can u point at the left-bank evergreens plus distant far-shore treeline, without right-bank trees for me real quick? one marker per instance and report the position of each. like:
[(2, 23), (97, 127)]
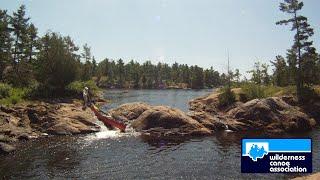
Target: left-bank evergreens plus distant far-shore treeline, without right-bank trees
[(53, 61)]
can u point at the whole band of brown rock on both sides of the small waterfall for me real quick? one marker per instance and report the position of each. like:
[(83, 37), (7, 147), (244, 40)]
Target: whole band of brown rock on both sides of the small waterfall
[(273, 115)]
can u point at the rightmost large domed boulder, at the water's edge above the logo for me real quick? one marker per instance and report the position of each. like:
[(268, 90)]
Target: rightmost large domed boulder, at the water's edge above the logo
[(273, 115)]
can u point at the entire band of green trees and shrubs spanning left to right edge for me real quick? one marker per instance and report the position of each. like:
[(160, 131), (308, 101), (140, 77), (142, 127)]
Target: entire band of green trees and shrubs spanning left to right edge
[(52, 65)]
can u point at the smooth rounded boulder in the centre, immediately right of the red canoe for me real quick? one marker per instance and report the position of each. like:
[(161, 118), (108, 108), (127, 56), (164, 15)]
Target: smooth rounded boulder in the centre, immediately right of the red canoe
[(159, 120)]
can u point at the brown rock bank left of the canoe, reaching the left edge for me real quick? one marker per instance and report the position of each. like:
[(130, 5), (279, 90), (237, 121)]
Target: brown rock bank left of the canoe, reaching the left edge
[(40, 119)]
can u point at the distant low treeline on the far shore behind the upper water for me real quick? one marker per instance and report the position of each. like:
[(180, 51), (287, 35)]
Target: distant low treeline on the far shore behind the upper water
[(147, 75)]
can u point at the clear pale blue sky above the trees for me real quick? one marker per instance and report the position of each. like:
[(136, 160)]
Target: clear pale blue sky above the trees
[(195, 32)]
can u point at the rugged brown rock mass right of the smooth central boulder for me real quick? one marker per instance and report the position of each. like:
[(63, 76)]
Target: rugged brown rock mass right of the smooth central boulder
[(271, 115)]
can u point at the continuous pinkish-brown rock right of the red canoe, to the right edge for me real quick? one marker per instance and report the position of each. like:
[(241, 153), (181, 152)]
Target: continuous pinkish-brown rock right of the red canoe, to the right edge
[(273, 115)]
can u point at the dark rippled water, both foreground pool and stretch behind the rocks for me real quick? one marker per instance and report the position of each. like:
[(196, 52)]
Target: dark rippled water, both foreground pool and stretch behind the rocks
[(110, 155)]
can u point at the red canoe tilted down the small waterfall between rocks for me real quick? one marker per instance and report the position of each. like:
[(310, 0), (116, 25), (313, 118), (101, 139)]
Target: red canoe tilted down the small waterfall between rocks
[(106, 120)]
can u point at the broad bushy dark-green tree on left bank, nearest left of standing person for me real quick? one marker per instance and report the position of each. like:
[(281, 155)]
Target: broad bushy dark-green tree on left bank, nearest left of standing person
[(56, 65)]
